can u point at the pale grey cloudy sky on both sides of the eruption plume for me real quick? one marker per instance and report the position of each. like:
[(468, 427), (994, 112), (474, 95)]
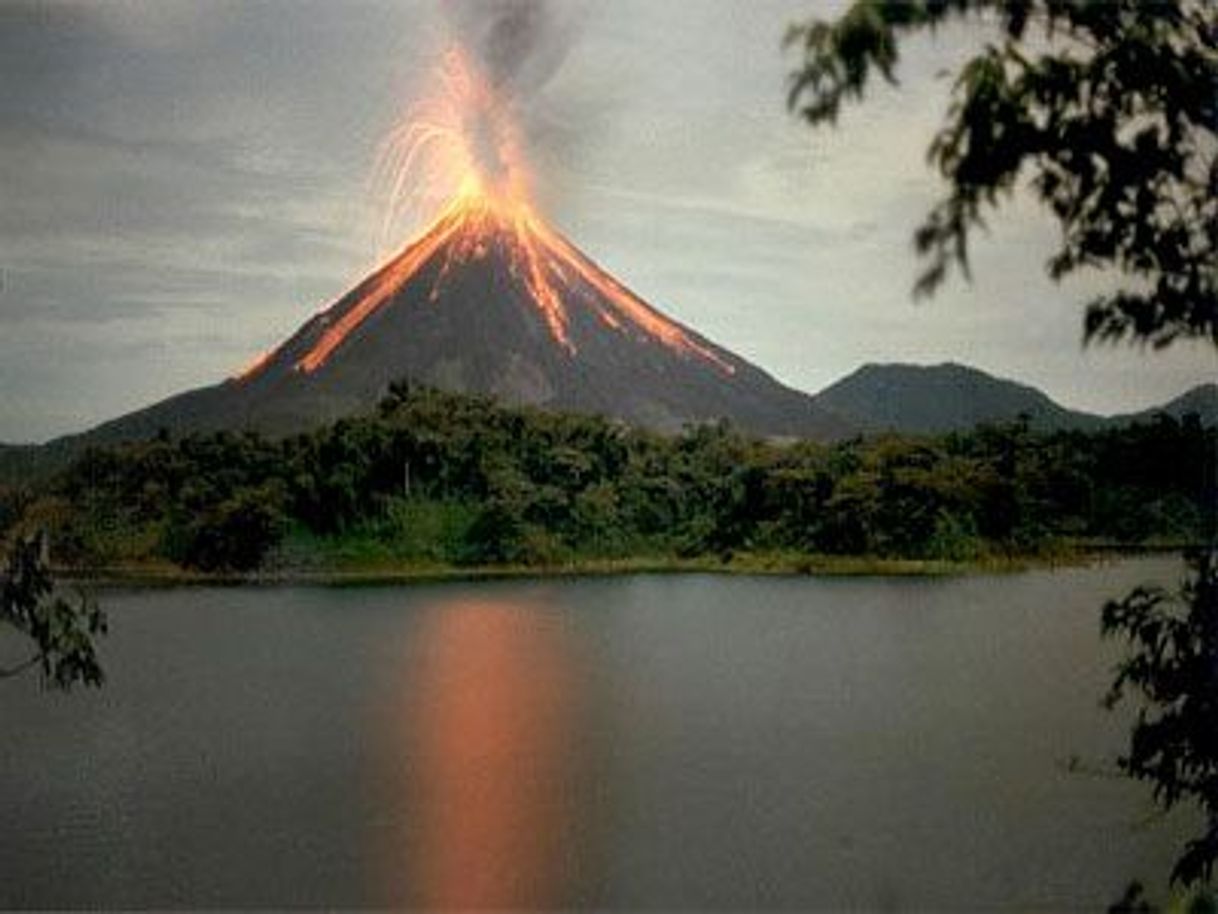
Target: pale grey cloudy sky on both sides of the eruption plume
[(185, 182)]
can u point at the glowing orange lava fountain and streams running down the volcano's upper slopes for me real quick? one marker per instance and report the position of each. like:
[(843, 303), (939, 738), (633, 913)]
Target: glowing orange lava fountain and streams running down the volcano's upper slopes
[(462, 148)]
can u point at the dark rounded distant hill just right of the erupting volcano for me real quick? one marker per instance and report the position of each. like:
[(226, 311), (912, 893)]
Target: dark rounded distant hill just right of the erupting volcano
[(945, 398)]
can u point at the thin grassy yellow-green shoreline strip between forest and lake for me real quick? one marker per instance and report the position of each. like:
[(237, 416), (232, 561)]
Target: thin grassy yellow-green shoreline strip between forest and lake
[(747, 565)]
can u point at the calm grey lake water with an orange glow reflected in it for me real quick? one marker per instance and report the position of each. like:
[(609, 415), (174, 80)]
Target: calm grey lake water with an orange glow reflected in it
[(641, 743)]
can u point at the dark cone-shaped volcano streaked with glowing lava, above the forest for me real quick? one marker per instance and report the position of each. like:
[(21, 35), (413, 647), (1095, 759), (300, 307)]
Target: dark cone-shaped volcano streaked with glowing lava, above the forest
[(493, 300)]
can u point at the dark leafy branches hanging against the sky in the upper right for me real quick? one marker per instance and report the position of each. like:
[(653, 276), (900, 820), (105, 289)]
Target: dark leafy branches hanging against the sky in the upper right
[(1108, 109)]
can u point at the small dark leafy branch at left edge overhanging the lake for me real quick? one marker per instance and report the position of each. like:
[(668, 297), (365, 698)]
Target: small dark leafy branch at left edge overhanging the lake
[(63, 633)]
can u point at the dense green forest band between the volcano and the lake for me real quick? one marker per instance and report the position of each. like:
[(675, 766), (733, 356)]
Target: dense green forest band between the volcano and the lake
[(443, 481)]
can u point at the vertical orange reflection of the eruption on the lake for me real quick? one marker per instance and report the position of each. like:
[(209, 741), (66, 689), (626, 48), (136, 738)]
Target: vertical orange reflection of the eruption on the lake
[(495, 696)]
